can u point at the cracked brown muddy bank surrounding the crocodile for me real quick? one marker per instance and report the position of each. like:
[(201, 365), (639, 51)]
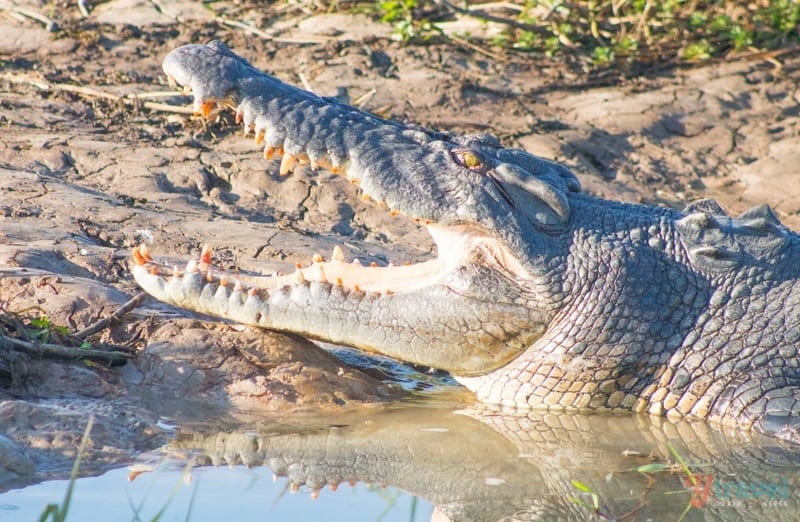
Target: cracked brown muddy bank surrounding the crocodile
[(91, 165)]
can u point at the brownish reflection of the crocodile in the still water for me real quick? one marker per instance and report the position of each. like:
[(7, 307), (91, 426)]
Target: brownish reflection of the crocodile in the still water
[(476, 466)]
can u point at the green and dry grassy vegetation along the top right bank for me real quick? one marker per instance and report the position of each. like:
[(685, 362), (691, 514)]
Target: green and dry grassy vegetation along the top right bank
[(604, 33)]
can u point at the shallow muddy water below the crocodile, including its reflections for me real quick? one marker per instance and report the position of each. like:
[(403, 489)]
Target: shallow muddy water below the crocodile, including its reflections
[(416, 458)]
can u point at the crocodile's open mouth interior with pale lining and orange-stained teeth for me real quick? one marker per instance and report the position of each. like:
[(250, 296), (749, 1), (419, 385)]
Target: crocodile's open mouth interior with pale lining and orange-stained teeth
[(457, 245)]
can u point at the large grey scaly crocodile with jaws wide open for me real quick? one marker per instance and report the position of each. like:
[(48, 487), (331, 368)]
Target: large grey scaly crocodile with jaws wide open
[(540, 296)]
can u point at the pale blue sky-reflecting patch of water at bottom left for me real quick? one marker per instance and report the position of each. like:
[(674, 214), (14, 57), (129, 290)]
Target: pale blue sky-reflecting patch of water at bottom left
[(220, 493)]
